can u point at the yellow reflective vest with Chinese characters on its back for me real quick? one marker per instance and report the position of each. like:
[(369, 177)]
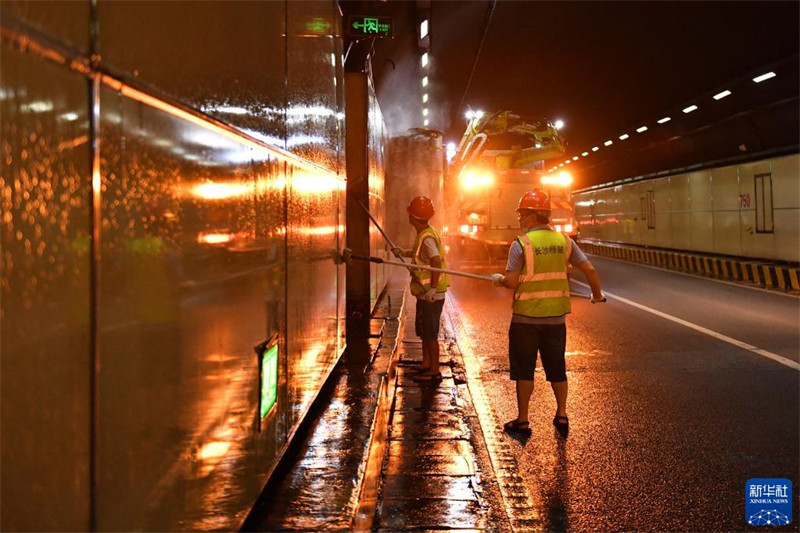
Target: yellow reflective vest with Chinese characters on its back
[(543, 289)]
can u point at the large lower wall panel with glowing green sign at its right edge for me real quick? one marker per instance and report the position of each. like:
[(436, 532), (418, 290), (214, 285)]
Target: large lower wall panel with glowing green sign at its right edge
[(193, 265)]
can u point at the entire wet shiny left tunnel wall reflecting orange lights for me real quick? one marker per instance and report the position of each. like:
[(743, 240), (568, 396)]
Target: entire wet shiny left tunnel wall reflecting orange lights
[(135, 284)]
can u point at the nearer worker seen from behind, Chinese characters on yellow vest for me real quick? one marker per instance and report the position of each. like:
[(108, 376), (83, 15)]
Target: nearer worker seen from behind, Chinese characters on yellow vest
[(537, 272)]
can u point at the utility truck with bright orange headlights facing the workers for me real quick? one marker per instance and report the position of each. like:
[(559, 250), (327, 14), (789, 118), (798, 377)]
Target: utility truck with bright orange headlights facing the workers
[(500, 156)]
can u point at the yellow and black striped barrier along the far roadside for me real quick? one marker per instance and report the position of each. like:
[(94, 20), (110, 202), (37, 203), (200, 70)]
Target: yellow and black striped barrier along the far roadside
[(771, 276)]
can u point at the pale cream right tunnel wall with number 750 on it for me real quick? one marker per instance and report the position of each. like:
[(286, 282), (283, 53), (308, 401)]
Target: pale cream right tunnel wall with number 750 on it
[(716, 210)]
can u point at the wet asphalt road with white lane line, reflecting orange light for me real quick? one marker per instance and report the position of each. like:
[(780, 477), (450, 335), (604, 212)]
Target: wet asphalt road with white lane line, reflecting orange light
[(668, 422)]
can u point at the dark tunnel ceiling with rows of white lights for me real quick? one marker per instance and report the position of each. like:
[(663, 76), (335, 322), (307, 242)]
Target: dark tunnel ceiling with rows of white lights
[(606, 69)]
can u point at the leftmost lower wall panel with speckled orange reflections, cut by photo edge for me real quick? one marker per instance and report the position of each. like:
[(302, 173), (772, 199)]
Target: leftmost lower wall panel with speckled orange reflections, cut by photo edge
[(45, 246)]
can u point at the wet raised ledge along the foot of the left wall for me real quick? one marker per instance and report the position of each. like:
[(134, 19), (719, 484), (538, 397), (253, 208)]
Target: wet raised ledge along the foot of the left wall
[(347, 421)]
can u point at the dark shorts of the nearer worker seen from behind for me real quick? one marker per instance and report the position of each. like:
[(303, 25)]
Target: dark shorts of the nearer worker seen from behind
[(549, 340)]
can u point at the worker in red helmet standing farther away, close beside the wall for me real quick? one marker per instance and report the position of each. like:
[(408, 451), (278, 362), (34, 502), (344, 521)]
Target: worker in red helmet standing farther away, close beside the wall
[(428, 287)]
